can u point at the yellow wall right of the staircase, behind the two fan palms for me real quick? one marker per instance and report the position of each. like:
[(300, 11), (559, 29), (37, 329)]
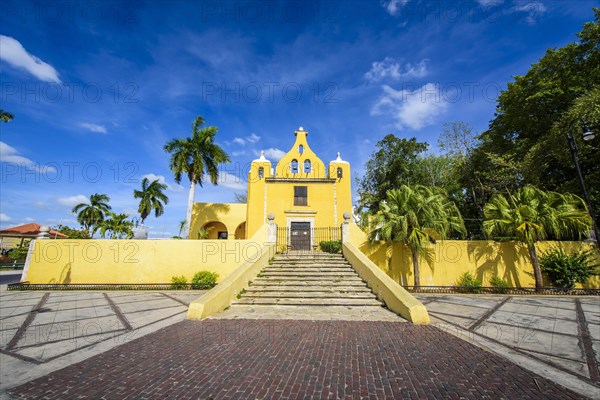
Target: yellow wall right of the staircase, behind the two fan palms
[(448, 259)]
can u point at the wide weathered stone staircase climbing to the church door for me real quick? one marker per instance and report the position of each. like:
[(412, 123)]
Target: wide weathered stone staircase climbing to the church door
[(313, 279)]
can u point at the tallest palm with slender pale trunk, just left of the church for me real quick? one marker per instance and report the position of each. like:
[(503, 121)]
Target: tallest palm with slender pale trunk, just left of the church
[(197, 157)]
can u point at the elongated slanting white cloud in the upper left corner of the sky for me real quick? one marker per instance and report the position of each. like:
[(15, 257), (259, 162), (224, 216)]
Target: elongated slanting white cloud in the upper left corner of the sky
[(13, 52)]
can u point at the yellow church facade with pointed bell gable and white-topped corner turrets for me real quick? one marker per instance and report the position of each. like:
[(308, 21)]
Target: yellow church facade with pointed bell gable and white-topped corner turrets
[(329, 195)]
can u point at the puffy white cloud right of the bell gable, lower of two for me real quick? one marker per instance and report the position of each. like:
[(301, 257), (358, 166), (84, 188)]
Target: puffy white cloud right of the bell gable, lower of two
[(411, 109)]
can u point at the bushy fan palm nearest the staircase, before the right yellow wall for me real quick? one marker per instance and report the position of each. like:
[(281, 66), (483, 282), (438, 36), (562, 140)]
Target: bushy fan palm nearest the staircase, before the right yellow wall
[(416, 216)]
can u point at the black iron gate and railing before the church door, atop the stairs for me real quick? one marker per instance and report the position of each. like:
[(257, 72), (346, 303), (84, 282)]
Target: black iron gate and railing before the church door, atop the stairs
[(300, 237)]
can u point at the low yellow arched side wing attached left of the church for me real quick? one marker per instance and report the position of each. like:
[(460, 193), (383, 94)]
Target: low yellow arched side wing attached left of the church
[(229, 215)]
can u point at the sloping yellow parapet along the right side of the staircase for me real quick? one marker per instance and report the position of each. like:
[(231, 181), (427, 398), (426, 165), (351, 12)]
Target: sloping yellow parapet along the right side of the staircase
[(395, 297)]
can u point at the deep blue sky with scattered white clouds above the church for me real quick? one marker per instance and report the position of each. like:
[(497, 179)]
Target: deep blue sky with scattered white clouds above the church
[(97, 88)]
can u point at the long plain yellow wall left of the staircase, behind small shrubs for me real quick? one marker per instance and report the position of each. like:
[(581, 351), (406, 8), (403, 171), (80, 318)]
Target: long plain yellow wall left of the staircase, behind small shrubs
[(137, 261)]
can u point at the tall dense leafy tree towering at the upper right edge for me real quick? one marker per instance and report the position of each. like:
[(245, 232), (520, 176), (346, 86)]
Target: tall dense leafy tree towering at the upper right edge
[(534, 113)]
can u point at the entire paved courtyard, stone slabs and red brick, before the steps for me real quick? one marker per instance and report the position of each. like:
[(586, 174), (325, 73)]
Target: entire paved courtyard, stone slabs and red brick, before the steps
[(70, 345)]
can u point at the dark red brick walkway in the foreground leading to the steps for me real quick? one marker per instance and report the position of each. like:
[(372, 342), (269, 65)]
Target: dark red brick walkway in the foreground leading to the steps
[(266, 359)]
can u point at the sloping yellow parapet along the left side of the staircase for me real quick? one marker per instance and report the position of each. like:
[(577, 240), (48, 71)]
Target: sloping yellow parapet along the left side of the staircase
[(221, 296)]
